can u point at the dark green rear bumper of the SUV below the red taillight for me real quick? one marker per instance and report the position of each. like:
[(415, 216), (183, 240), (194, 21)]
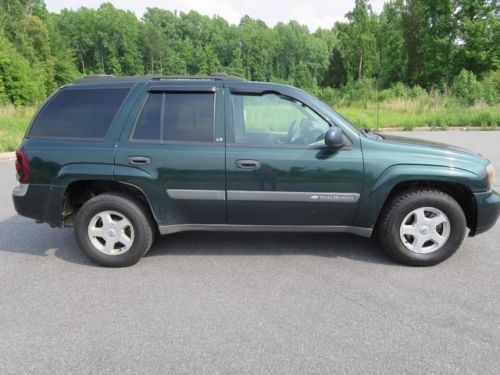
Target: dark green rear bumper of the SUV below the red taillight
[(42, 203)]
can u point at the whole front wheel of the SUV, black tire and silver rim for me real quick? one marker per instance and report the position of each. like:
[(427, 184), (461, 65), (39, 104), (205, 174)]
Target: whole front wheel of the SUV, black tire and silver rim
[(421, 227)]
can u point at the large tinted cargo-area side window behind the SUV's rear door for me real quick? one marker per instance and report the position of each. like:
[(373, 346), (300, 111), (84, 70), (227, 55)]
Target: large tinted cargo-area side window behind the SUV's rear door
[(79, 113)]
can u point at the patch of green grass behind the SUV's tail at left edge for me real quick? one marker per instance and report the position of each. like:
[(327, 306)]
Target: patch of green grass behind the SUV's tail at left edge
[(13, 123)]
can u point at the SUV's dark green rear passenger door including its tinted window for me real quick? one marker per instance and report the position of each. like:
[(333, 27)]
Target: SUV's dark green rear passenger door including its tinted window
[(173, 150)]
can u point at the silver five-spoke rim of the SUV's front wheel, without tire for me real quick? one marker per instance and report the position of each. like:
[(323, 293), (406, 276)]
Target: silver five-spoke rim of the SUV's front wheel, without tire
[(425, 230)]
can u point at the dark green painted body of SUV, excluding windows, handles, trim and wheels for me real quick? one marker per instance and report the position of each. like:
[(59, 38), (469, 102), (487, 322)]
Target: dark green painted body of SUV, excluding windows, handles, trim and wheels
[(369, 166)]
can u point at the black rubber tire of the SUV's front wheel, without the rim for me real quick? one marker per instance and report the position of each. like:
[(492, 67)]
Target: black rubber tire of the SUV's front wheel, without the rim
[(388, 228)]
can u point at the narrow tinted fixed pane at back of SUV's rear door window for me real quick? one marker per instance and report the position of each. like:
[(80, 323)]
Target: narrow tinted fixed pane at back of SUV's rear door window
[(149, 122)]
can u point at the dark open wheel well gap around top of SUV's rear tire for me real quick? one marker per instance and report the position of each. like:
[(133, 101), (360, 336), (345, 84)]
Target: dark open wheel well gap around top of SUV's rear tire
[(77, 193)]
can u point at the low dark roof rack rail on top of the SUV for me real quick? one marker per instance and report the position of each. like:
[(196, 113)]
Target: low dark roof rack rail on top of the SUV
[(112, 78)]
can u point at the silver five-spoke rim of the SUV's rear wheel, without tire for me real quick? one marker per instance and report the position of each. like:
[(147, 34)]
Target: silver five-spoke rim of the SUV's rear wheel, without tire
[(111, 233)]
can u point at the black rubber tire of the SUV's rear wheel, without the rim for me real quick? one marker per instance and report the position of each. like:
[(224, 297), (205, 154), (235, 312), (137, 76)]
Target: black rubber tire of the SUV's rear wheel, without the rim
[(131, 210)]
